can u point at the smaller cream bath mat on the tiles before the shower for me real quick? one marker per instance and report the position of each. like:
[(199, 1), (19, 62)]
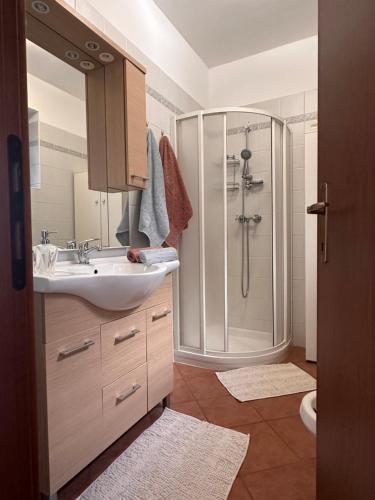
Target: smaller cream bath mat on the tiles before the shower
[(266, 381)]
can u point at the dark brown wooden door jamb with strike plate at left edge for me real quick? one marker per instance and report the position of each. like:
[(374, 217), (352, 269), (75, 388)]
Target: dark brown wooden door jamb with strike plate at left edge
[(18, 456)]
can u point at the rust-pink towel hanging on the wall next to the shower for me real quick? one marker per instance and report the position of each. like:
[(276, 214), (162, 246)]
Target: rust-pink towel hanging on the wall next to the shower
[(178, 203)]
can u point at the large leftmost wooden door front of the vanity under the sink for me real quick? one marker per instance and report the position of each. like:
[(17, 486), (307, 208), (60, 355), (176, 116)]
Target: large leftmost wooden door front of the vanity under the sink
[(74, 405)]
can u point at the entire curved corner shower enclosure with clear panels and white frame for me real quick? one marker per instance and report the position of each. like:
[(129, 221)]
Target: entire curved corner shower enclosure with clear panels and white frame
[(232, 293)]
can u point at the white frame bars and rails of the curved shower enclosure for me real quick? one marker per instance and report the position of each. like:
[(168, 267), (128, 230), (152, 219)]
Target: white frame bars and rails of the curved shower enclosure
[(202, 353)]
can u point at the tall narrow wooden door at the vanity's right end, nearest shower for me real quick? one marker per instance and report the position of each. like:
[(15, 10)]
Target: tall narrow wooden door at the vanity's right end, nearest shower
[(159, 353)]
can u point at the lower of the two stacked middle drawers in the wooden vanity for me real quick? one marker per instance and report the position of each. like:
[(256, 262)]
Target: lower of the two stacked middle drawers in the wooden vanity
[(124, 403)]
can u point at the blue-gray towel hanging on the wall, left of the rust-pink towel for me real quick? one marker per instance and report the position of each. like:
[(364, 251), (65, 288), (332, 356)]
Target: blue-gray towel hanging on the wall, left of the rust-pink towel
[(153, 218)]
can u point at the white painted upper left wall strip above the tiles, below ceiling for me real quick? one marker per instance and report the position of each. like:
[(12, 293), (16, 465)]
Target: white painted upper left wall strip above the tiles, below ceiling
[(144, 24)]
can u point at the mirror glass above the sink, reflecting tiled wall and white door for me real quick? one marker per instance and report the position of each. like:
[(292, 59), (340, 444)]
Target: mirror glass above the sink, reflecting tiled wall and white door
[(60, 198)]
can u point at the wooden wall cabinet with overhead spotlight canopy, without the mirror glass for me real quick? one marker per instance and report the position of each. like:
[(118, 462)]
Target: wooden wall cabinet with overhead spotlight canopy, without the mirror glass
[(115, 94)]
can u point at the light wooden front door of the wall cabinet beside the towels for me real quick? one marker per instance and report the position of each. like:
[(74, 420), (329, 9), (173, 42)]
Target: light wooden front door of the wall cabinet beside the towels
[(135, 123)]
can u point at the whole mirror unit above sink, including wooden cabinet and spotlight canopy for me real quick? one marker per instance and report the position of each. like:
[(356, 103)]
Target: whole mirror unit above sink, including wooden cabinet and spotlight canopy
[(87, 119)]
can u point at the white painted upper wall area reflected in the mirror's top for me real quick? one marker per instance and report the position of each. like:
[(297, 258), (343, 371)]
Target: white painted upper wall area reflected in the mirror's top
[(56, 107)]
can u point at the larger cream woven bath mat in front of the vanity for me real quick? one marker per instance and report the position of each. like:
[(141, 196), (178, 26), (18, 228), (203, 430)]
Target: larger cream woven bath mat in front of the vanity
[(178, 458)]
